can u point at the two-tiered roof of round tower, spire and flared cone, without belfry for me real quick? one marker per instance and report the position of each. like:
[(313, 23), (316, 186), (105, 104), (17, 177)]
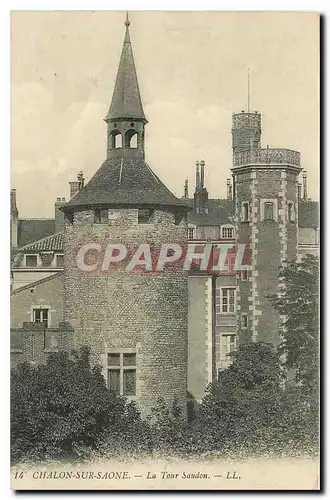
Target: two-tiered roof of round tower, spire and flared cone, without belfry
[(125, 178)]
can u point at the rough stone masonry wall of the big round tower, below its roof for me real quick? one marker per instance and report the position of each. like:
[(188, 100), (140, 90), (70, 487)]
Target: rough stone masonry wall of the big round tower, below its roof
[(147, 312)]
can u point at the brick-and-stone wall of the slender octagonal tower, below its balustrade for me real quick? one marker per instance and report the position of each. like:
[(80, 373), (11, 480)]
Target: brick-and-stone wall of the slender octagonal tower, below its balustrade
[(271, 242)]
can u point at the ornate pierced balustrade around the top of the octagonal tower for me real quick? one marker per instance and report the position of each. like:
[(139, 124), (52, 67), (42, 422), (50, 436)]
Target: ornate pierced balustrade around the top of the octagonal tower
[(273, 156)]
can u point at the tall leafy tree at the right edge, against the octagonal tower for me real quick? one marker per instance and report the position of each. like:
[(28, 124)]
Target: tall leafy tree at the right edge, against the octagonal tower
[(298, 306)]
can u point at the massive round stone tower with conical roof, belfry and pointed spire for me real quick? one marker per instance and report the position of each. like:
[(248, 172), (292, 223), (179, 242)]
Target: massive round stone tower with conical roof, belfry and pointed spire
[(134, 320)]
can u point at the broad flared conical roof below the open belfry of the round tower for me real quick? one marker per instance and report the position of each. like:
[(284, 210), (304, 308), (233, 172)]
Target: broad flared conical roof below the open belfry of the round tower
[(125, 179)]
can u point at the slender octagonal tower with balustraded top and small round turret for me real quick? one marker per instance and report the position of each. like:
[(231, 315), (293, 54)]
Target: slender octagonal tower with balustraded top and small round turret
[(266, 206)]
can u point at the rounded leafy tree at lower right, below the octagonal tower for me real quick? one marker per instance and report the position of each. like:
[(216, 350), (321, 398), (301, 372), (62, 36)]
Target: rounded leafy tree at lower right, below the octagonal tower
[(249, 411)]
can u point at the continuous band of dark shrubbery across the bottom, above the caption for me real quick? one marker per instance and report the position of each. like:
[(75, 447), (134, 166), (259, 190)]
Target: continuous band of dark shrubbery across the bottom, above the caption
[(63, 408)]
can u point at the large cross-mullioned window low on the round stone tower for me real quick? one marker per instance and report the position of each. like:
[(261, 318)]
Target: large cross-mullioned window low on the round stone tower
[(122, 373)]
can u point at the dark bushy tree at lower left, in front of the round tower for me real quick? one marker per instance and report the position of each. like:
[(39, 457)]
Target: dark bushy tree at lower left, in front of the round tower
[(63, 407)]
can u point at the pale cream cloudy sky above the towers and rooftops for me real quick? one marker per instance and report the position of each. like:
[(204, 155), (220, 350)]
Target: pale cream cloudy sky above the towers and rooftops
[(192, 72)]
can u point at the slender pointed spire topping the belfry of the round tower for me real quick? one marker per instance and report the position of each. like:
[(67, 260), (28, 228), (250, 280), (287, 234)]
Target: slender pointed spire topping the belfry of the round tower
[(126, 100)]
